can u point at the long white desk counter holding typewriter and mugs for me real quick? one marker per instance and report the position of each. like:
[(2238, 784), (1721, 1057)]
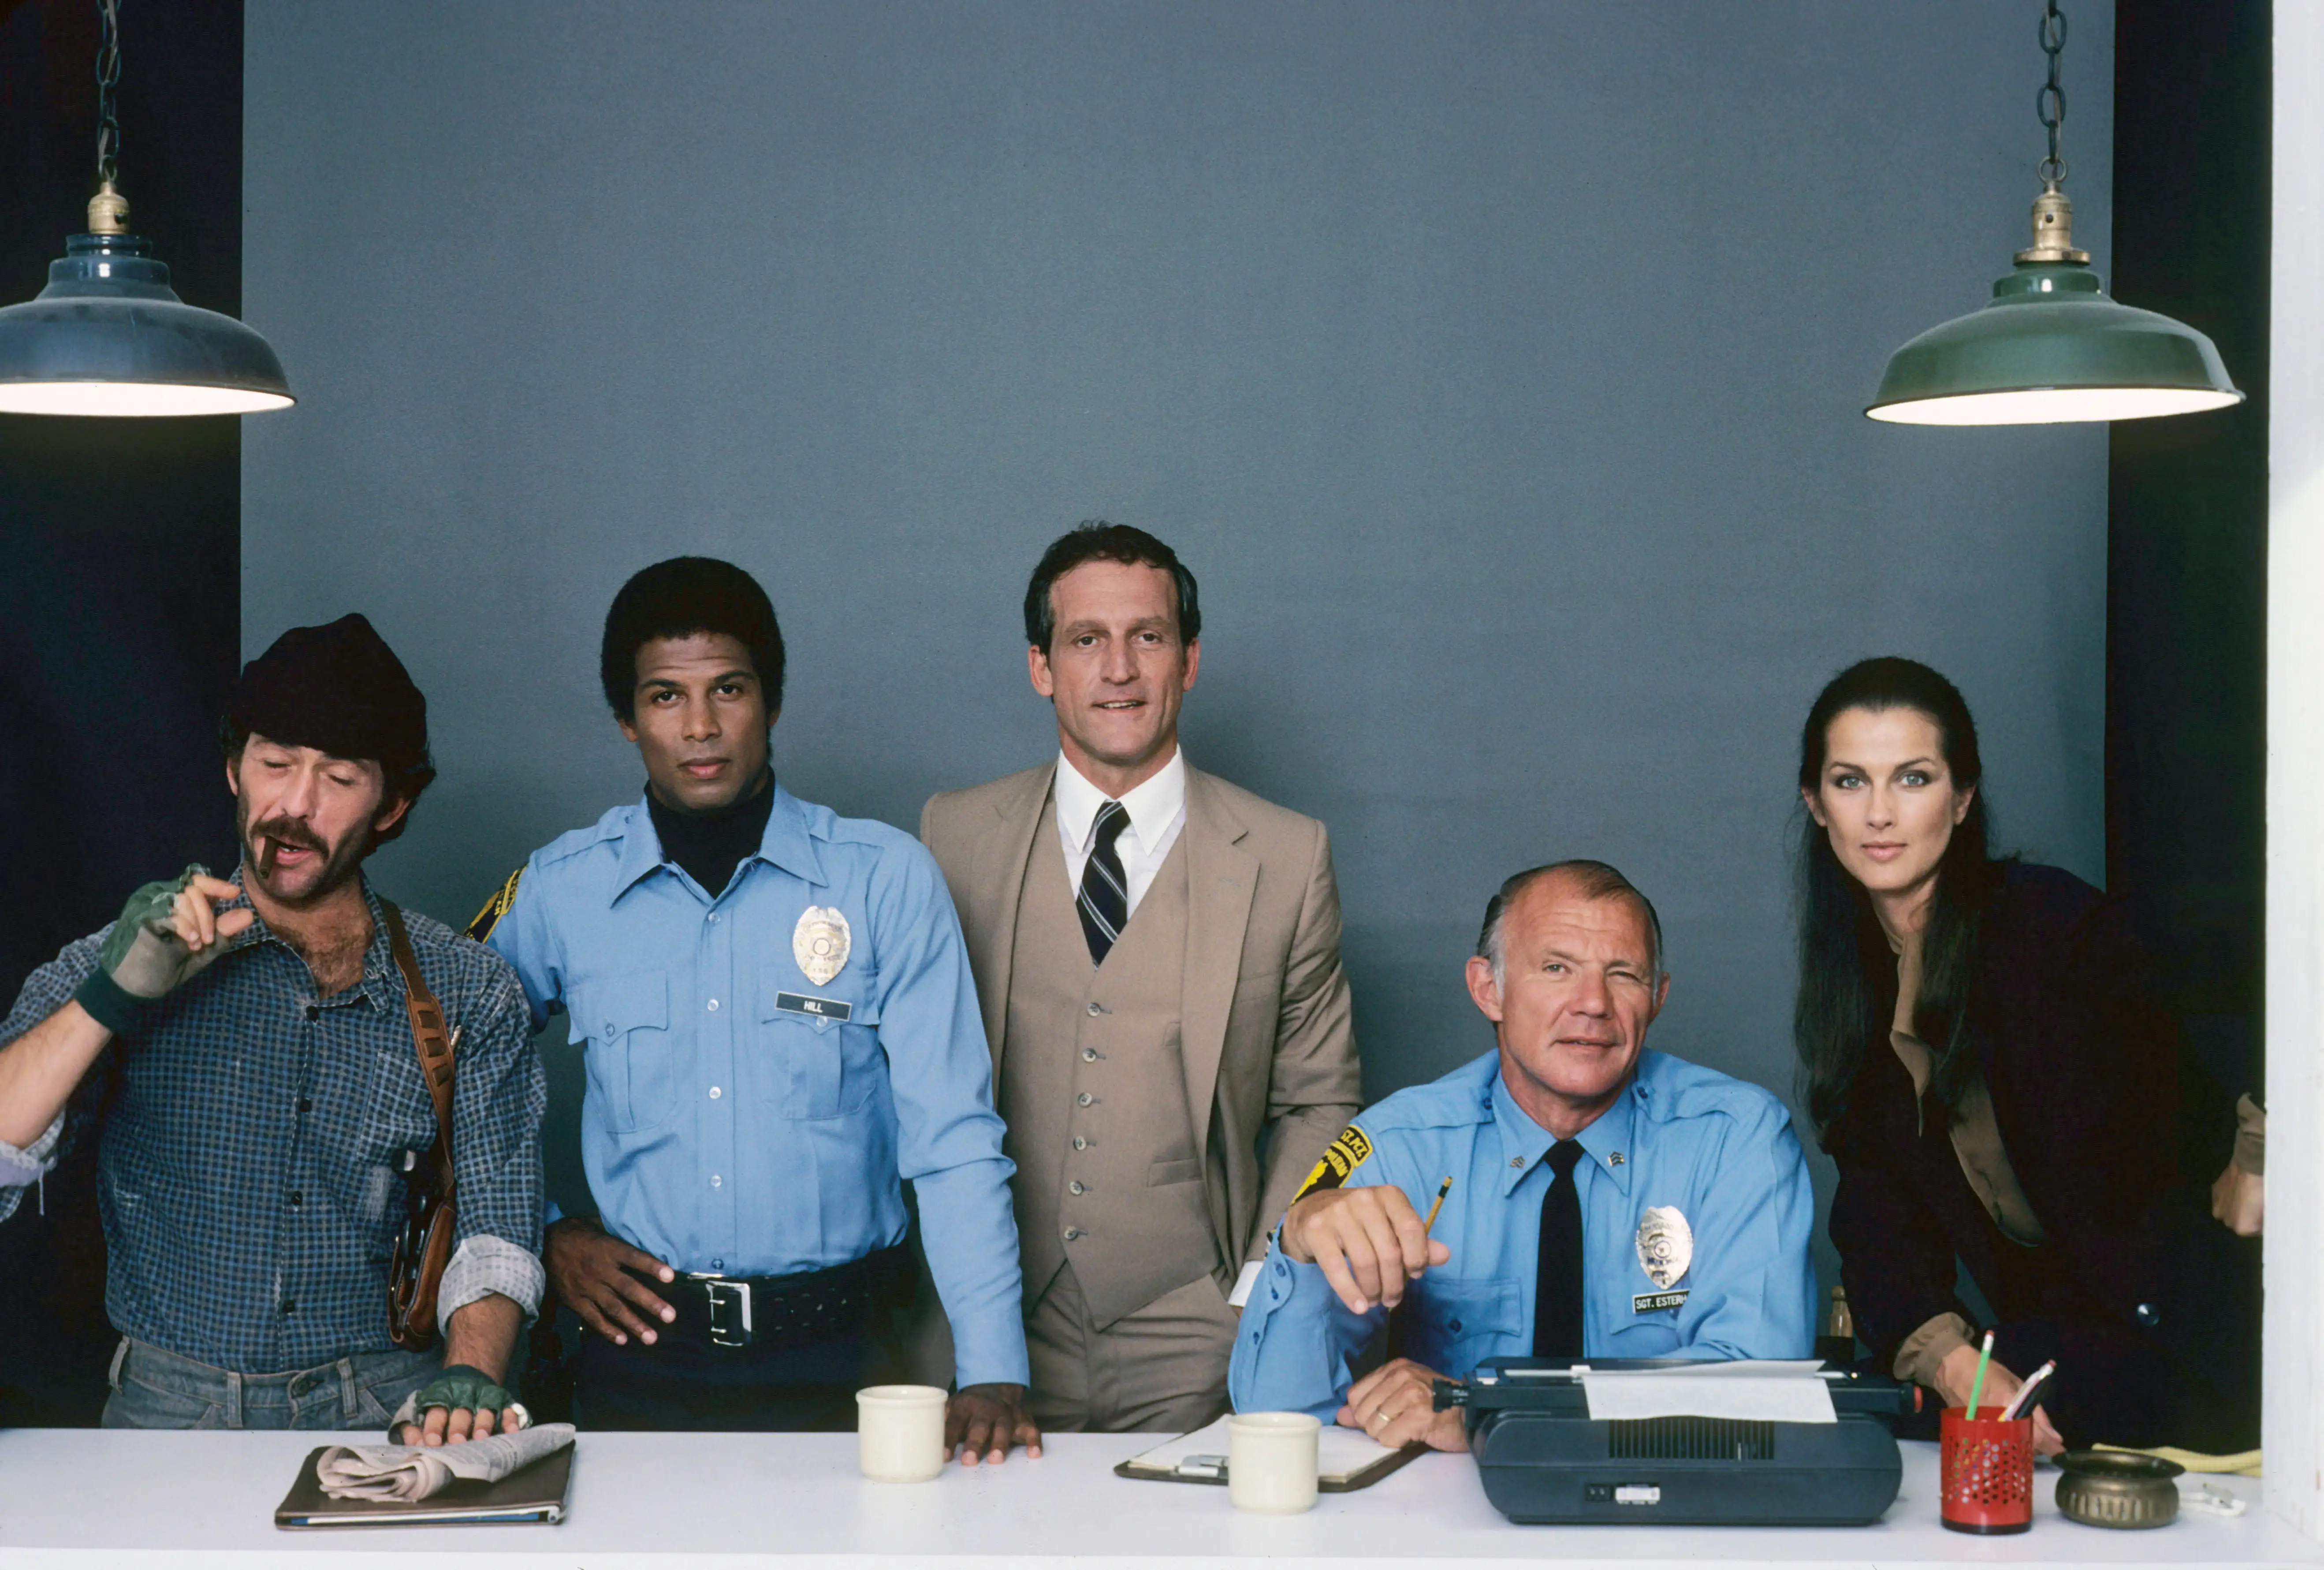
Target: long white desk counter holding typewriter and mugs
[(76, 1499)]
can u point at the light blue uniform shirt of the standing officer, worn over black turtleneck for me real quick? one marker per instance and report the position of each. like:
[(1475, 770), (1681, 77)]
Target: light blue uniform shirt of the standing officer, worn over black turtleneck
[(731, 1132)]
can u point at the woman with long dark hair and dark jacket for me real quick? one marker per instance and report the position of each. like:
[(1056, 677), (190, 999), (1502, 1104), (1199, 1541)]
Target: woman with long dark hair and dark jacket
[(2002, 1093)]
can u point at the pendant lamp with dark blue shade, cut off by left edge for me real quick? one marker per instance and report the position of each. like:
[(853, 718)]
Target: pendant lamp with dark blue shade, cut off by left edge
[(110, 336)]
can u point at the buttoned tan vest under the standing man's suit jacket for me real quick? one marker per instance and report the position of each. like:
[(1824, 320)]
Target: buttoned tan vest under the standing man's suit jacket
[(1096, 1097)]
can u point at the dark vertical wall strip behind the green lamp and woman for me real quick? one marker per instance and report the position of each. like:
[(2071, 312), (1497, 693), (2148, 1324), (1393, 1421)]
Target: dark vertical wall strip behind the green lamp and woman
[(2188, 521)]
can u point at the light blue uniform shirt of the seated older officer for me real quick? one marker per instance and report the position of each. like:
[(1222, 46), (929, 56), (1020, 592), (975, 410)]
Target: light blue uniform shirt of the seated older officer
[(1719, 1151)]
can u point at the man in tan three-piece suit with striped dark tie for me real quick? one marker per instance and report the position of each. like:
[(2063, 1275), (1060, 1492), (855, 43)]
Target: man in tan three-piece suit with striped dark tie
[(1159, 965)]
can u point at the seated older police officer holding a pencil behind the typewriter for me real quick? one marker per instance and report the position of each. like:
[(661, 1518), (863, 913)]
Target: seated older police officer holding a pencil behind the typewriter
[(1605, 1200)]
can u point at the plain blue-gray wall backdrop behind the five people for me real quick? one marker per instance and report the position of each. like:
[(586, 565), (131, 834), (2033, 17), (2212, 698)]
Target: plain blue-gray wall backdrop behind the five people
[(1498, 368)]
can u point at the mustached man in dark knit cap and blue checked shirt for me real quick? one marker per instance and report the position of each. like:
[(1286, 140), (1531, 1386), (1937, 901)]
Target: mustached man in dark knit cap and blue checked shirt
[(241, 1051)]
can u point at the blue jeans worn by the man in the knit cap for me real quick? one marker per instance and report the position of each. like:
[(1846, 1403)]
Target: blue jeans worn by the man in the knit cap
[(162, 1390)]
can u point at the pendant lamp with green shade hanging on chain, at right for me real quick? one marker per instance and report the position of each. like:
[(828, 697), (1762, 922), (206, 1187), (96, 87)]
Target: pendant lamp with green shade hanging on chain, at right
[(2053, 347)]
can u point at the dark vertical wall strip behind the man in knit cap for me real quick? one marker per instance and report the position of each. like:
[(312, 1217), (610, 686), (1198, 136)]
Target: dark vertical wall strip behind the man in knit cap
[(120, 586)]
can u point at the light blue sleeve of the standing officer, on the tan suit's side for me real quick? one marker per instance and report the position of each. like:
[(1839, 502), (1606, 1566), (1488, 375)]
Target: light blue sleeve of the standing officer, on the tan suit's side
[(949, 1135)]
